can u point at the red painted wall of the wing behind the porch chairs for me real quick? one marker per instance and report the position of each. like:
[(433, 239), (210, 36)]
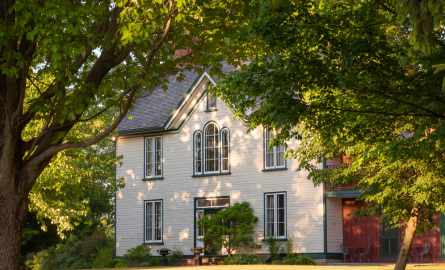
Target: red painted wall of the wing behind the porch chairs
[(359, 232)]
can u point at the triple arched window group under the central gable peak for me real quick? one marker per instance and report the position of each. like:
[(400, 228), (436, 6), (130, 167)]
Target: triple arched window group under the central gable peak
[(211, 150)]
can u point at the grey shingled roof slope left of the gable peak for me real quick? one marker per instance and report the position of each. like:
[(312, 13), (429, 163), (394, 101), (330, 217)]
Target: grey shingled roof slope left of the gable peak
[(153, 110)]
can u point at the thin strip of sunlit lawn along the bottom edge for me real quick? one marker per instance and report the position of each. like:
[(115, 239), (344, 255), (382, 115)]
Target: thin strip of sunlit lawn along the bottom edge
[(289, 267)]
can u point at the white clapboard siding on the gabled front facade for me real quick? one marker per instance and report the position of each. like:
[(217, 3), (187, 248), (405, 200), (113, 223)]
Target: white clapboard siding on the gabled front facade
[(246, 183)]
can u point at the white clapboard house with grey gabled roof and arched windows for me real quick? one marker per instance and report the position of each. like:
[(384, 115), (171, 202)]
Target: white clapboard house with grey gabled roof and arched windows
[(184, 156)]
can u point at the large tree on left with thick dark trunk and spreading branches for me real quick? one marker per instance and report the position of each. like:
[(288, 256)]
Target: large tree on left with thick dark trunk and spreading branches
[(64, 63)]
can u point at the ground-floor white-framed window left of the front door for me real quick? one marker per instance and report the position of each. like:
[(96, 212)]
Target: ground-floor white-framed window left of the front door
[(153, 221)]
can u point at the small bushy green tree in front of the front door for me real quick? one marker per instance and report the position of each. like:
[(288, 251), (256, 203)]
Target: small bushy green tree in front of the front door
[(230, 228)]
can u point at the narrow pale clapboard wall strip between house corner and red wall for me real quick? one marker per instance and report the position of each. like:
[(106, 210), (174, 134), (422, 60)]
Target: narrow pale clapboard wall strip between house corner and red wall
[(334, 224)]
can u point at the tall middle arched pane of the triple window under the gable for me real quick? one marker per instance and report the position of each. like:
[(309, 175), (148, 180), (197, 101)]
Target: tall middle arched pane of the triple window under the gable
[(211, 149)]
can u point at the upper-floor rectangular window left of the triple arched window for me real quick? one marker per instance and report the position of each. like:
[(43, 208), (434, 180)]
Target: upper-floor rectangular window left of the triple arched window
[(153, 157)]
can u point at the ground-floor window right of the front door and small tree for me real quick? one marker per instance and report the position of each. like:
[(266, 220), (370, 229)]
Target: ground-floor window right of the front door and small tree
[(275, 216)]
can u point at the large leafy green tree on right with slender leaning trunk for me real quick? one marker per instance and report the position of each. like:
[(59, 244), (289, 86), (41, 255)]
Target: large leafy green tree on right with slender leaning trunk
[(361, 79)]
